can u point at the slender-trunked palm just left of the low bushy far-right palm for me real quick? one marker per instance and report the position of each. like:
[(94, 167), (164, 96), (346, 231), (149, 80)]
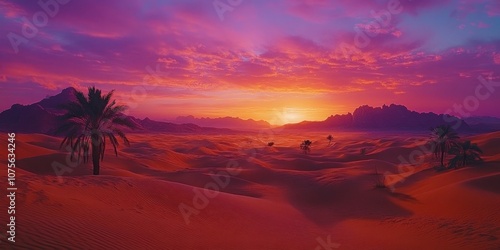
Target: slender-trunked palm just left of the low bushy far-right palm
[(443, 138)]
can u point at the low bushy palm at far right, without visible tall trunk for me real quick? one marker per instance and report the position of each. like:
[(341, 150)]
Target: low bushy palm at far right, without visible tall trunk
[(465, 153)]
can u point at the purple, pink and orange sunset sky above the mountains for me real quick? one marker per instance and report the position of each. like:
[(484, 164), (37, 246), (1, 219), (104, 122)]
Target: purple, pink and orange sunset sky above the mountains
[(259, 59)]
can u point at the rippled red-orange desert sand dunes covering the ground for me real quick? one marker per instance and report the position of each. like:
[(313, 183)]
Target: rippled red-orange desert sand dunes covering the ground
[(276, 197)]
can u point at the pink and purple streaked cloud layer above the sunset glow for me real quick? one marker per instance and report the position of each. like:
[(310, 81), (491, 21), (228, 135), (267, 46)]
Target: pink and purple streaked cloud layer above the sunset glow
[(260, 47)]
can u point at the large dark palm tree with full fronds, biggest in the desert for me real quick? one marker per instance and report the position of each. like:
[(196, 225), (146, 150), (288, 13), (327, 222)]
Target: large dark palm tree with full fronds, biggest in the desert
[(89, 120)]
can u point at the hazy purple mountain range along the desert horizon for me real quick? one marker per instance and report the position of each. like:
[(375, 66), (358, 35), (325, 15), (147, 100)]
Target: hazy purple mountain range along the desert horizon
[(42, 117)]
